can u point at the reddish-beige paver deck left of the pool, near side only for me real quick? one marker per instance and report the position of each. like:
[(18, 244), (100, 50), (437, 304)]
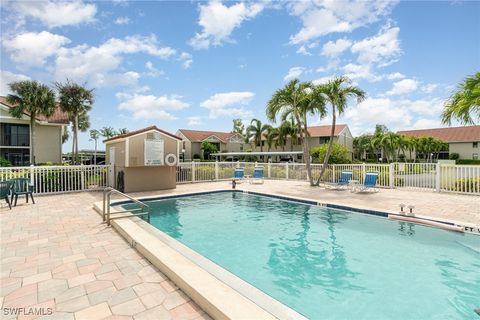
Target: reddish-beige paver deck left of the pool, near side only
[(58, 256)]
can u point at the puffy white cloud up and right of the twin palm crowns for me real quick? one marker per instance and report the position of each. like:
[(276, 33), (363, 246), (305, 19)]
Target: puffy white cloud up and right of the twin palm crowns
[(382, 49)]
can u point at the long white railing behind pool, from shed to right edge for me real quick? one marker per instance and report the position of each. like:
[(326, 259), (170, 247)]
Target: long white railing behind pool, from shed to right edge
[(415, 176)]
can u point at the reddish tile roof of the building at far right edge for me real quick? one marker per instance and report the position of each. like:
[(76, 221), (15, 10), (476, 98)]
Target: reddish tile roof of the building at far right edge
[(454, 134)]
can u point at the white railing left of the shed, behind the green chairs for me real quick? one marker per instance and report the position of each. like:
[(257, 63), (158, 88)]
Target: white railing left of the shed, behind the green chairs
[(58, 179)]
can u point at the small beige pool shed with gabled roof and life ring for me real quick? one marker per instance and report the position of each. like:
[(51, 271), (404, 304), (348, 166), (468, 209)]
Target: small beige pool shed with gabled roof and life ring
[(144, 160)]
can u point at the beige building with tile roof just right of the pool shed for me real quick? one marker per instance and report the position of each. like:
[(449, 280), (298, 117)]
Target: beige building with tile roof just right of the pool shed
[(224, 141)]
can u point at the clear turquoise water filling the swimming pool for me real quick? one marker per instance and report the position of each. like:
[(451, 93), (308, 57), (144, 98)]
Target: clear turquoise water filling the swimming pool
[(330, 264)]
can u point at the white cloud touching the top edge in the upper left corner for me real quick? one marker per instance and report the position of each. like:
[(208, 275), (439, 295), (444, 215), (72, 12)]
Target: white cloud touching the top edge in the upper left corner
[(57, 13)]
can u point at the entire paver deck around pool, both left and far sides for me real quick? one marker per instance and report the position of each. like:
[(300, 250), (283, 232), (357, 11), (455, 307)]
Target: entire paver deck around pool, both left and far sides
[(58, 255)]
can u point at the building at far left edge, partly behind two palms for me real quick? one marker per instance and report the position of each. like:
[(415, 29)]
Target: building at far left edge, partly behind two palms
[(15, 136)]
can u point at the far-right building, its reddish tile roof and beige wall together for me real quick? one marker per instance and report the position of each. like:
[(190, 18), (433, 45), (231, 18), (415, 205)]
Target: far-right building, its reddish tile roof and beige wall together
[(462, 140)]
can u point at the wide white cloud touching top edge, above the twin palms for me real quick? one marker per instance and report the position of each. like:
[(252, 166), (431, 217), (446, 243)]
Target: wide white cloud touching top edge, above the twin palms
[(323, 17)]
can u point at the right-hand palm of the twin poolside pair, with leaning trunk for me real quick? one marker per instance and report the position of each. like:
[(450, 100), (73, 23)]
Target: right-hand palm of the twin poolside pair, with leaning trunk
[(336, 92)]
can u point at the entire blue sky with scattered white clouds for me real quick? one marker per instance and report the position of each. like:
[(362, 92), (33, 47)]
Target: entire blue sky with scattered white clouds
[(198, 65)]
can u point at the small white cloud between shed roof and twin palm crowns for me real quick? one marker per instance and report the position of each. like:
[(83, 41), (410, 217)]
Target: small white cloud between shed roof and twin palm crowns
[(228, 104)]
